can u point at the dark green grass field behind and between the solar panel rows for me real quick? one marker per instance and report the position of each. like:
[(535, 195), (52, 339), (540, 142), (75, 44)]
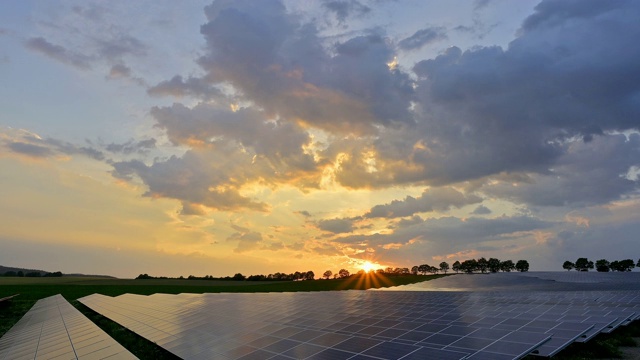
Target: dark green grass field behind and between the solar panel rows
[(72, 288)]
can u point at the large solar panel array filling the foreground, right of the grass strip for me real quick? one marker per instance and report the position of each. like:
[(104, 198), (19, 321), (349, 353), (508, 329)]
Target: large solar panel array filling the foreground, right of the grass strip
[(369, 324)]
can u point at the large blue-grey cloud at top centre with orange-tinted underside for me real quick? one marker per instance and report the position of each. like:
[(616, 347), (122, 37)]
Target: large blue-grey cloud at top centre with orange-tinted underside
[(284, 67)]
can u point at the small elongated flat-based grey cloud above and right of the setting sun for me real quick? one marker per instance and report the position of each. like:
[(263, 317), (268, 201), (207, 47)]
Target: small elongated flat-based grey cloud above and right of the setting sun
[(440, 199)]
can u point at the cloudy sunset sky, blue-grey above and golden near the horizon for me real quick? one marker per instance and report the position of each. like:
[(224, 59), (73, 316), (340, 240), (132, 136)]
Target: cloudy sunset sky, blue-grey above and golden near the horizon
[(211, 138)]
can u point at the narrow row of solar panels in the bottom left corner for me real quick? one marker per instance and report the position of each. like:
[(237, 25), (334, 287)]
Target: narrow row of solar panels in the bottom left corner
[(53, 329)]
